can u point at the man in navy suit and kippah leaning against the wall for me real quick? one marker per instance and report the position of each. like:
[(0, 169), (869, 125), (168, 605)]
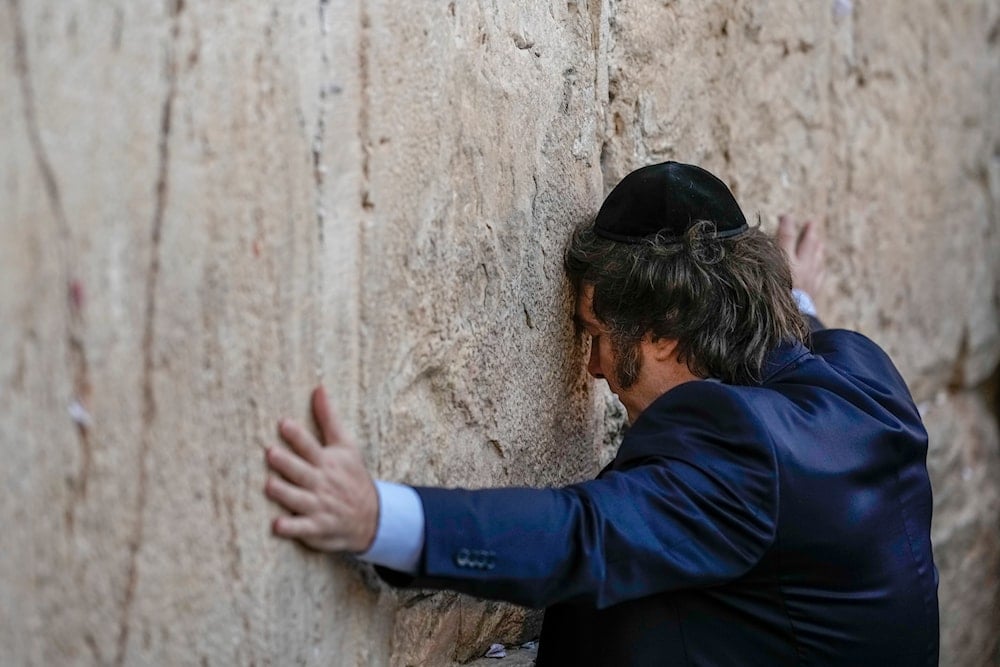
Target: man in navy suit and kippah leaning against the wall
[(769, 504)]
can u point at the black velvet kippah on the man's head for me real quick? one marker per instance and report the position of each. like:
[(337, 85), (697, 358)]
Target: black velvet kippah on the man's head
[(667, 199)]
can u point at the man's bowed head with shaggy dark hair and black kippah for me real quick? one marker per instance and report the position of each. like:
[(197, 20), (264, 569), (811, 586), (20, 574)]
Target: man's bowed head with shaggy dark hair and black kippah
[(671, 258)]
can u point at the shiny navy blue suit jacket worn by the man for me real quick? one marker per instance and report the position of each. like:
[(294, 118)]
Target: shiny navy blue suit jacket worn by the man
[(785, 523)]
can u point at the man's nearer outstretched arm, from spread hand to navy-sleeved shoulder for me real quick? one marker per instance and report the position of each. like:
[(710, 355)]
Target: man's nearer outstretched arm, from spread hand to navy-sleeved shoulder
[(698, 514)]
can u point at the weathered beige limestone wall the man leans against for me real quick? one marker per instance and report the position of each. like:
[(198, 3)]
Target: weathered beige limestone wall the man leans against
[(208, 207)]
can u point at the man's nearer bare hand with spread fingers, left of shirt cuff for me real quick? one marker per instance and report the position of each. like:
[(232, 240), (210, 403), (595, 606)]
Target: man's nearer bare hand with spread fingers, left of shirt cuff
[(325, 486)]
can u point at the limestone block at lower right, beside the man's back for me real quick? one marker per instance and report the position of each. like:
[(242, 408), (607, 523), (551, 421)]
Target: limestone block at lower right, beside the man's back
[(964, 462)]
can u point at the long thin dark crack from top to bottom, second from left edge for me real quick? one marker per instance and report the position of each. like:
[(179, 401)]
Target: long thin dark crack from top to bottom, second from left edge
[(161, 189)]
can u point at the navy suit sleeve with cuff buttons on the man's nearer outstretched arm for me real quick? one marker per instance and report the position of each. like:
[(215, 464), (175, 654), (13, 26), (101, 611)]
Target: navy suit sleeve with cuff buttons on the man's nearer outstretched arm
[(691, 509)]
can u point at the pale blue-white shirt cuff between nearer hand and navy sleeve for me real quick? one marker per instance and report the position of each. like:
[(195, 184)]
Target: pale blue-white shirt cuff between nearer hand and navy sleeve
[(399, 538)]
